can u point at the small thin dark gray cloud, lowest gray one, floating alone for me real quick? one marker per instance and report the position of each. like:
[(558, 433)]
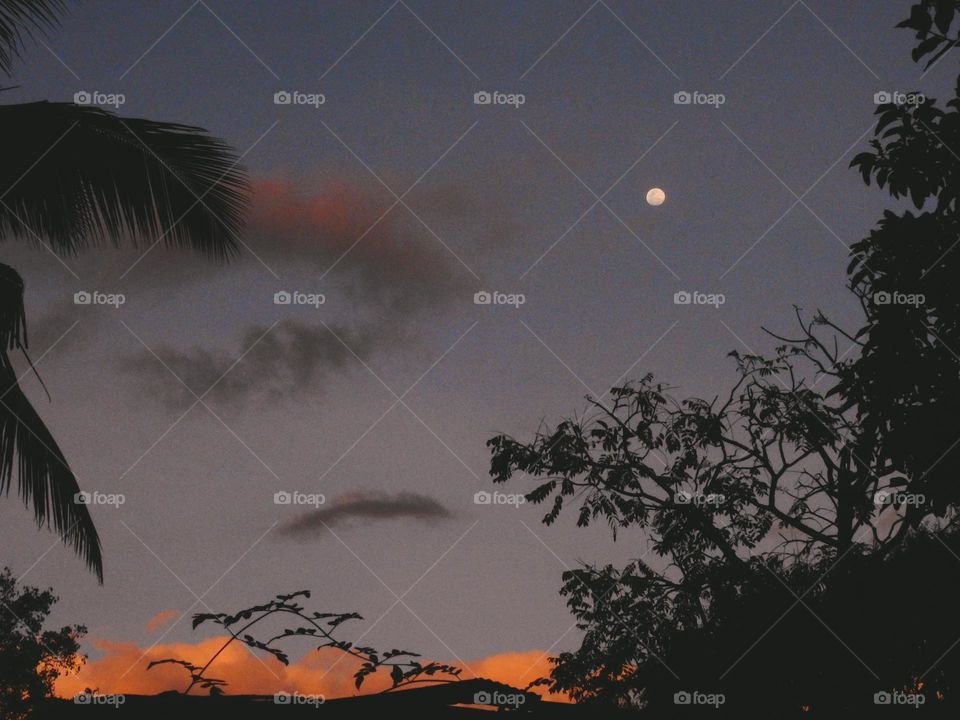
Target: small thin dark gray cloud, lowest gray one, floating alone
[(370, 507)]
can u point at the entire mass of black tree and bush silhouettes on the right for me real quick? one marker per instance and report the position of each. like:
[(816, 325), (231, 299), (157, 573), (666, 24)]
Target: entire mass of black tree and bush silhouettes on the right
[(819, 492)]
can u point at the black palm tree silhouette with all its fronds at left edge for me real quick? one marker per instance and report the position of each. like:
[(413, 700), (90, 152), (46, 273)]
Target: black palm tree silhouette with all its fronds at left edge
[(73, 177)]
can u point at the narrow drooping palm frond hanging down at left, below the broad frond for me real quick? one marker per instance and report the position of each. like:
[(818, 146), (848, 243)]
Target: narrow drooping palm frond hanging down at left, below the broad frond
[(44, 479)]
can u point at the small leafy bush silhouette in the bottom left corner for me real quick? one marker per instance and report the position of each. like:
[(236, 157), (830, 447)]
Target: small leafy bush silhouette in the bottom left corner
[(31, 658)]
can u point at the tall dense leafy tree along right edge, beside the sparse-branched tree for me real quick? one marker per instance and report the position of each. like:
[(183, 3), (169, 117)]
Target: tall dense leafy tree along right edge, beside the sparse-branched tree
[(905, 381)]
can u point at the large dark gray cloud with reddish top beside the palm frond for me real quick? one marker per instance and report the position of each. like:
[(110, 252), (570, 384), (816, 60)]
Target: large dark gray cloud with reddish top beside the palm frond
[(394, 274)]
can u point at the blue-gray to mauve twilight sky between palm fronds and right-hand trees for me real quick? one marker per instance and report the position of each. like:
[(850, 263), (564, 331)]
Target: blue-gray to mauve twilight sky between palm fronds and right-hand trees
[(398, 199)]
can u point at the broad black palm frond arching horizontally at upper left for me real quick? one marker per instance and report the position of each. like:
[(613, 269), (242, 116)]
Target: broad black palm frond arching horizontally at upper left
[(77, 175)]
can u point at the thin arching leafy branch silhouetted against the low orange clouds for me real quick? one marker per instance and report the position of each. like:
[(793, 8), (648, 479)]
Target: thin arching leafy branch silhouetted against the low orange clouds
[(404, 669)]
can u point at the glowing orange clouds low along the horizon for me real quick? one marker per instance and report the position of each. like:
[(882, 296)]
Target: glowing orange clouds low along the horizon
[(123, 669)]
